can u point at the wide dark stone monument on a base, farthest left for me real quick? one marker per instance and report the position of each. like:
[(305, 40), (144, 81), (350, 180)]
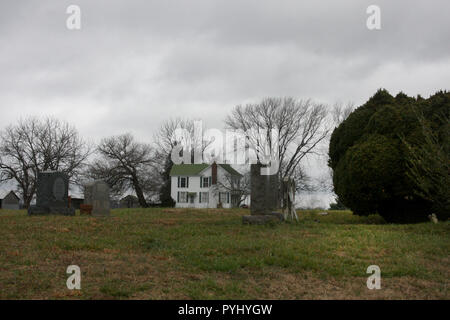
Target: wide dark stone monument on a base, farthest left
[(52, 195)]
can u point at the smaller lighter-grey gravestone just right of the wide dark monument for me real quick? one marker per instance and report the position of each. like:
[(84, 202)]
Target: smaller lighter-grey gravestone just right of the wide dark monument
[(96, 194)]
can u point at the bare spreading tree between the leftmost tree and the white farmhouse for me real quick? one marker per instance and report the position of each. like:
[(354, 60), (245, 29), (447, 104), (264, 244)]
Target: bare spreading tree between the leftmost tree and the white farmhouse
[(126, 164)]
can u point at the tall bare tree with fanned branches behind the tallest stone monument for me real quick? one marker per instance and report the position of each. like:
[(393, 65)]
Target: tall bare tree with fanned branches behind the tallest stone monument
[(299, 124)]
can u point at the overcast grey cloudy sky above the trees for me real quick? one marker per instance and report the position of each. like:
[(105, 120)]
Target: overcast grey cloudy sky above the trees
[(135, 63)]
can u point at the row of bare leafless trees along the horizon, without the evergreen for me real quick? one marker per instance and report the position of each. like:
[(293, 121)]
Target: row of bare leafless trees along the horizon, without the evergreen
[(34, 145)]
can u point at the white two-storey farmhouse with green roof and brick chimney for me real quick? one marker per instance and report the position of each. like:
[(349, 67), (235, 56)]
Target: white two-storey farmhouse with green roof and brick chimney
[(203, 185)]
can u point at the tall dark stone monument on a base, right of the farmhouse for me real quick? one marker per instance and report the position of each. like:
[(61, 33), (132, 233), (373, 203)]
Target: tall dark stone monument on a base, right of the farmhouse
[(264, 197)]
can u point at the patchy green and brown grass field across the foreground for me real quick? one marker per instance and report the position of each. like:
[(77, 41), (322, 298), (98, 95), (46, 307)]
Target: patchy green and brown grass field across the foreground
[(209, 254)]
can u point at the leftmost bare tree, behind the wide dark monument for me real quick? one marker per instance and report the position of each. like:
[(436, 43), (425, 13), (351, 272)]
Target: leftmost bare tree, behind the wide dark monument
[(35, 145)]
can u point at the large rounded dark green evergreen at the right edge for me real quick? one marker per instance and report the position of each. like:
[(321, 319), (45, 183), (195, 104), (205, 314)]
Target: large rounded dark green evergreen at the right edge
[(371, 153)]
